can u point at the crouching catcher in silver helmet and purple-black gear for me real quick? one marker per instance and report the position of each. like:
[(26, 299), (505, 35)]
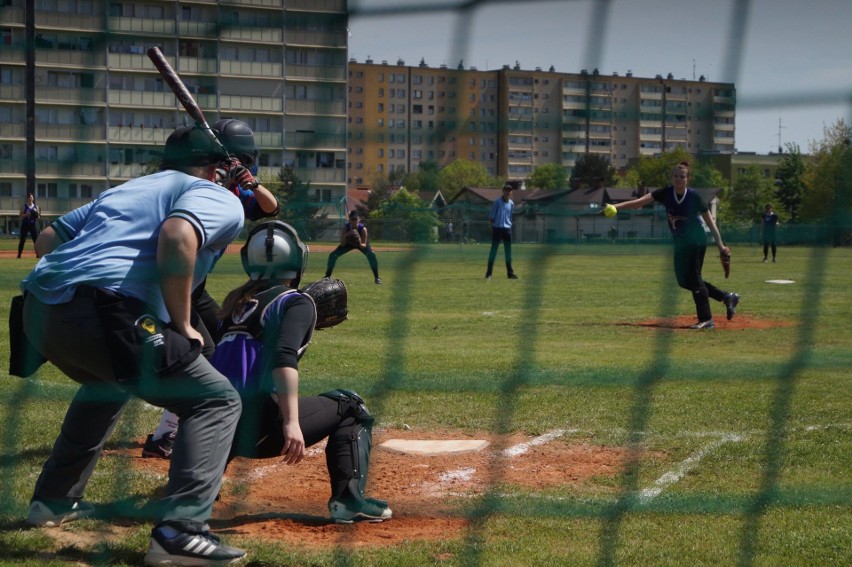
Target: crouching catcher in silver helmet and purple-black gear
[(266, 325)]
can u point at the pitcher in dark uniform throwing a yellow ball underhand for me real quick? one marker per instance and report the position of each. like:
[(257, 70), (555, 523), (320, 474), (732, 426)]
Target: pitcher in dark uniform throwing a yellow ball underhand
[(685, 208)]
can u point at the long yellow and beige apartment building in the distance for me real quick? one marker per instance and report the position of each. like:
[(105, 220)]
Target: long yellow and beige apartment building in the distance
[(513, 120)]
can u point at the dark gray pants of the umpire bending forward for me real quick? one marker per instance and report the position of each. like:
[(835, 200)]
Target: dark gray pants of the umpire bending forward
[(70, 335)]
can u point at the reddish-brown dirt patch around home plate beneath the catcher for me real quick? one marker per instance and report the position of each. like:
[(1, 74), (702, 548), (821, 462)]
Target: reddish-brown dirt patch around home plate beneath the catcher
[(269, 500)]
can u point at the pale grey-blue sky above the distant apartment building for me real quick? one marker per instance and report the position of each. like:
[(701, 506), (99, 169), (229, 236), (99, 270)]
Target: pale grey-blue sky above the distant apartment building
[(790, 60)]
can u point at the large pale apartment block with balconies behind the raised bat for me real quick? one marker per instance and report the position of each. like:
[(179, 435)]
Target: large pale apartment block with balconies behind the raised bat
[(83, 109)]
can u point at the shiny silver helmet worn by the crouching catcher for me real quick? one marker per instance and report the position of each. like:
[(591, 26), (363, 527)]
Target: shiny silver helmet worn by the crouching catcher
[(274, 251)]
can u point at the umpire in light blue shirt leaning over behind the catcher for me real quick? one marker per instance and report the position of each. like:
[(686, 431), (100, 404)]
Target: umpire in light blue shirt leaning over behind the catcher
[(109, 305)]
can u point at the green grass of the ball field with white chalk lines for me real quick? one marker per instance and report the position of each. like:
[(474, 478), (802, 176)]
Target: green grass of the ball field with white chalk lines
[(754, 426)]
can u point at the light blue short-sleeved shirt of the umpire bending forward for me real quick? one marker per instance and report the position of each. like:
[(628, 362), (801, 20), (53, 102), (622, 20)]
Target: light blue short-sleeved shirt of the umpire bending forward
[(111, 243)]
